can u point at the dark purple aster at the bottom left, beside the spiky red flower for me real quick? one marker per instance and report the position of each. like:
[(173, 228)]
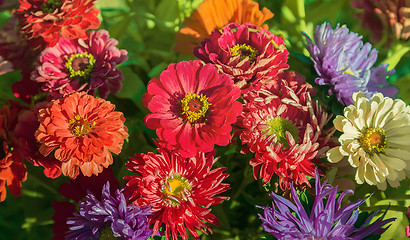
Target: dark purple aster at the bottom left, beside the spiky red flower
[(109, 218)]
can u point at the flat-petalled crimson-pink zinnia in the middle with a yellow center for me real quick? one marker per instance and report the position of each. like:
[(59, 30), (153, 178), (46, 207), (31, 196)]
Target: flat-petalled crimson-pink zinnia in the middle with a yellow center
[(193, 107)]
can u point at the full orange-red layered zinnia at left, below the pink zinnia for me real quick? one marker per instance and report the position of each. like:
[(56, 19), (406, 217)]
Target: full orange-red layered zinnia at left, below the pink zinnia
[(82, 130)]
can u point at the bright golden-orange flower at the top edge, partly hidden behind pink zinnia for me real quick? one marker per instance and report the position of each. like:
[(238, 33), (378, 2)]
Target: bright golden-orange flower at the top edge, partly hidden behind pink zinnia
[(215, 14)]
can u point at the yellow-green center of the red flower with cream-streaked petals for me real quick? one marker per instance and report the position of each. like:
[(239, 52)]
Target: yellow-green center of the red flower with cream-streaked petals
[(280, 126)]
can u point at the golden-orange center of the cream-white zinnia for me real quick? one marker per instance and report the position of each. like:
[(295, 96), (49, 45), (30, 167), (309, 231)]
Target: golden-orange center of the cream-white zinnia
[(373, 140)]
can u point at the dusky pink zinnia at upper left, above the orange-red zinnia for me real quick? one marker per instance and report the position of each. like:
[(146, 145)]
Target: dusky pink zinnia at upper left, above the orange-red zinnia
[(81, 65)]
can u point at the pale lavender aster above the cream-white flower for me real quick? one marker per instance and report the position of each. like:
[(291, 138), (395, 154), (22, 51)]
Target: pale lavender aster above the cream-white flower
[(346, 64)]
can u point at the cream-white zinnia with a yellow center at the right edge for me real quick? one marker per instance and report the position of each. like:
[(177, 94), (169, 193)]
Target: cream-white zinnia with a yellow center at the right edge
[(375, 139)]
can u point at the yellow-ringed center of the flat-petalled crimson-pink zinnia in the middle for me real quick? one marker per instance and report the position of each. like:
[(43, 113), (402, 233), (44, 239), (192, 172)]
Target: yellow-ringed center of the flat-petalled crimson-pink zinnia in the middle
[(194, 107)]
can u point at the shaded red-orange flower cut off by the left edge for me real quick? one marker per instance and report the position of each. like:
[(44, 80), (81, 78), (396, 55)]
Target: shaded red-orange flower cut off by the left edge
[(12, 170)]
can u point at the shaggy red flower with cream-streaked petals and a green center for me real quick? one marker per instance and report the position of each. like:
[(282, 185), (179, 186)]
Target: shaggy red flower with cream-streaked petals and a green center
[(284, 128)]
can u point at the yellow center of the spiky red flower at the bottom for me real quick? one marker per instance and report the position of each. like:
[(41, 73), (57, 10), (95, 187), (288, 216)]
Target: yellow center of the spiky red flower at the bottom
[(175, 189)]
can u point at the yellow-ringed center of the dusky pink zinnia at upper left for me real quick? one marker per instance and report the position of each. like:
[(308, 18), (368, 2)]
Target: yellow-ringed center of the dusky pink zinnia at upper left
[(80, 65)]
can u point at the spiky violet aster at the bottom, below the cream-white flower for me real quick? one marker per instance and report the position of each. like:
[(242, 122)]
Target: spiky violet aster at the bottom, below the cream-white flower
[(326, 220)]
